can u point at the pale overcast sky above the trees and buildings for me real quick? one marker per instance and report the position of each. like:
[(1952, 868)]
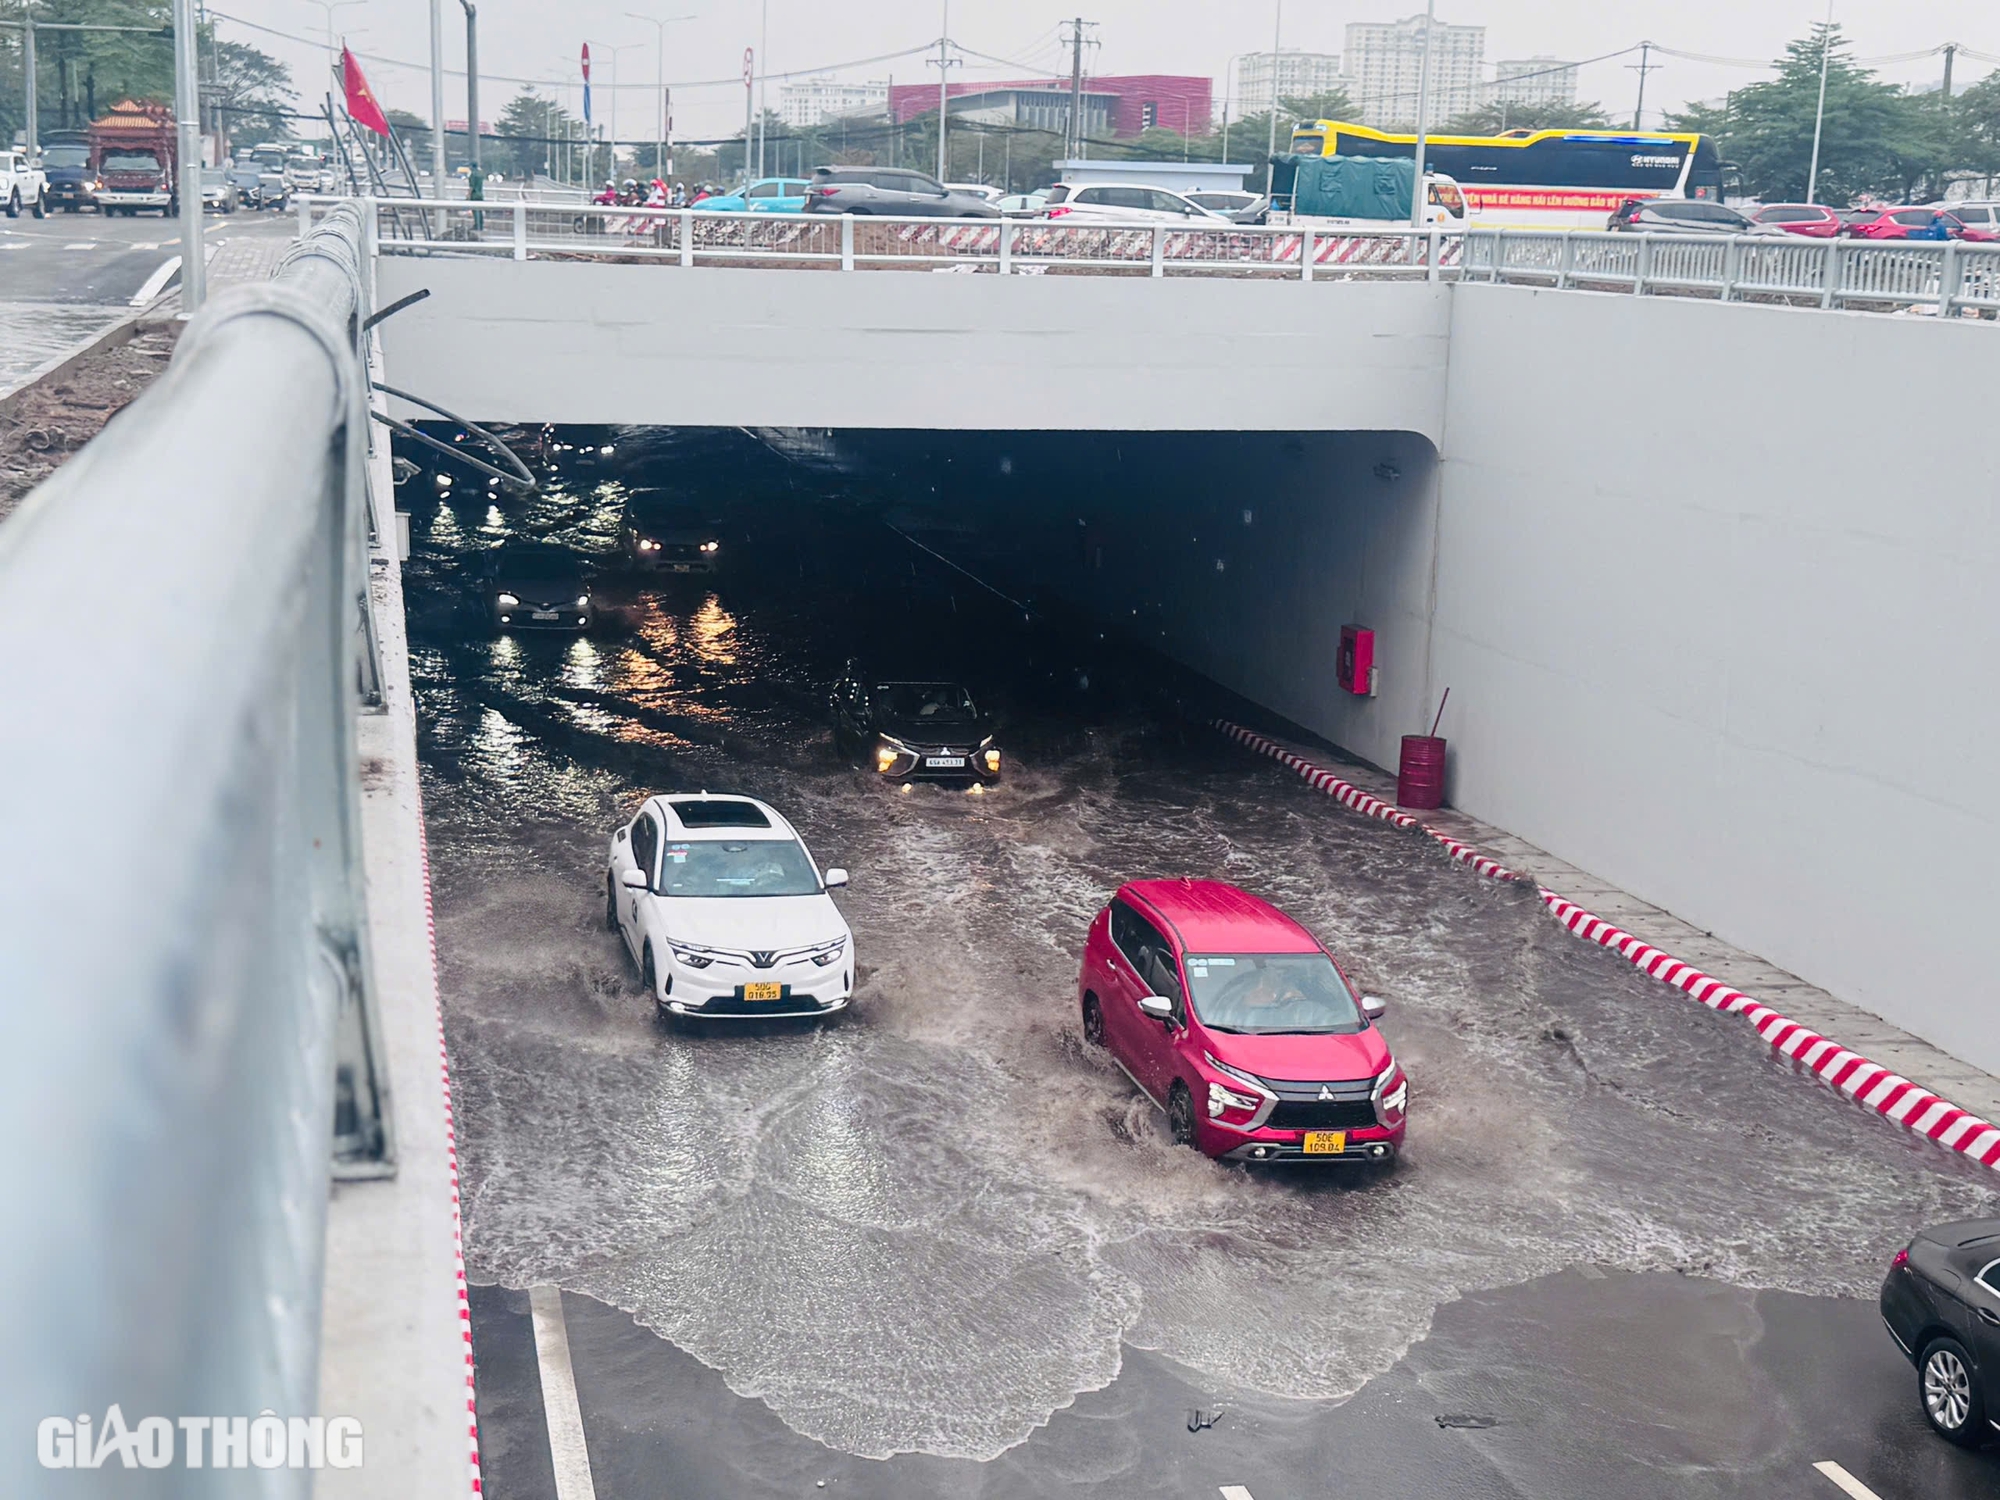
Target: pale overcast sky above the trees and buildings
[(541, 39)]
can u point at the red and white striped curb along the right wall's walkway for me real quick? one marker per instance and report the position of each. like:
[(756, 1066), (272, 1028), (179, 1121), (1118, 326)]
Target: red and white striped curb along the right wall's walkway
[(1867, 1083)]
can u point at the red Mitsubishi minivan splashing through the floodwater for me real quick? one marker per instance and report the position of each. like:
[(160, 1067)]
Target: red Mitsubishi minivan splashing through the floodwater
[(1235, 1021)]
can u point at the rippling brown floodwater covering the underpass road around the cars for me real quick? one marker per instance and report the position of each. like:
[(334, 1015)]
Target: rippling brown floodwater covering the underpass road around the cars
[(933, 1223)]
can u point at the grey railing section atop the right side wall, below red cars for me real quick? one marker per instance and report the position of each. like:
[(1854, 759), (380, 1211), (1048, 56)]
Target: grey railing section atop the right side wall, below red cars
[(1951, 279)]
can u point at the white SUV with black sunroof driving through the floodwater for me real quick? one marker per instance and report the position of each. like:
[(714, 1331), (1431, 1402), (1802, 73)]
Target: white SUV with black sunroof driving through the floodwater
[(727, 913)]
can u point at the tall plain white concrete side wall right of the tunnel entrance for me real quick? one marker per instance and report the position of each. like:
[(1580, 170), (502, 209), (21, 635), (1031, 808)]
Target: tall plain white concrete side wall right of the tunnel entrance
[(1721, 621)]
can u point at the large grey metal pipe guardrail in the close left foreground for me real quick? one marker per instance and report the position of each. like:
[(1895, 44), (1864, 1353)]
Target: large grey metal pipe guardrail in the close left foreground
[(181, 885)]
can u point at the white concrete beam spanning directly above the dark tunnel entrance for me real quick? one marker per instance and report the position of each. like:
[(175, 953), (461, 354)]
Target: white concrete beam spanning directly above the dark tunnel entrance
[(599, 343)]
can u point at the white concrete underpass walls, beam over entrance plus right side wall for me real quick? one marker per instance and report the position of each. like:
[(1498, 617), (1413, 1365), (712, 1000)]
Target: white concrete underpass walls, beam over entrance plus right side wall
[(1705, 635)]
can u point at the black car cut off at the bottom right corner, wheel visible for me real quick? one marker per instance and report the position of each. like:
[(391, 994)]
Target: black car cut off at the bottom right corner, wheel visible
[(1941, 1303)]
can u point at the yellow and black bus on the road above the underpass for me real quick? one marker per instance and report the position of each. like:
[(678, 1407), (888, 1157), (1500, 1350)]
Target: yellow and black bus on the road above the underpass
[(1543, 179)]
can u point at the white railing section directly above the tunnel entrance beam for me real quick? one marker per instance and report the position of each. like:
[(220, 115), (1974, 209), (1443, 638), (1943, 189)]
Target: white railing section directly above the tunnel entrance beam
[(693, 237)]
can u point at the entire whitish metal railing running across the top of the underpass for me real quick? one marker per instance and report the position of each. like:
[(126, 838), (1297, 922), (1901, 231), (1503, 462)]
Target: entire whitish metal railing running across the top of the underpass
[(1869, 275)]
